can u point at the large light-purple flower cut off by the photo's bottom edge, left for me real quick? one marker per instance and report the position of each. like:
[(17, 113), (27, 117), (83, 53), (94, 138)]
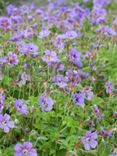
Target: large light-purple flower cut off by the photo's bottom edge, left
[(25, 149)]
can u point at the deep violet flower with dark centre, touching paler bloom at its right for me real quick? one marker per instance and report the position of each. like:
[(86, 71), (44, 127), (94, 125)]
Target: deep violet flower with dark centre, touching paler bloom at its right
[(78, 99)]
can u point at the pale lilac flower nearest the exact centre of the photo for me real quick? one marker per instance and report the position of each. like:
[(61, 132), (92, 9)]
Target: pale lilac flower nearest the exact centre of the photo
[(60, 81)]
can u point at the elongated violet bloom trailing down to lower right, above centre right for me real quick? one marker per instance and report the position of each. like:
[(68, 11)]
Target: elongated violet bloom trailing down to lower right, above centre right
[(74, 56)]
